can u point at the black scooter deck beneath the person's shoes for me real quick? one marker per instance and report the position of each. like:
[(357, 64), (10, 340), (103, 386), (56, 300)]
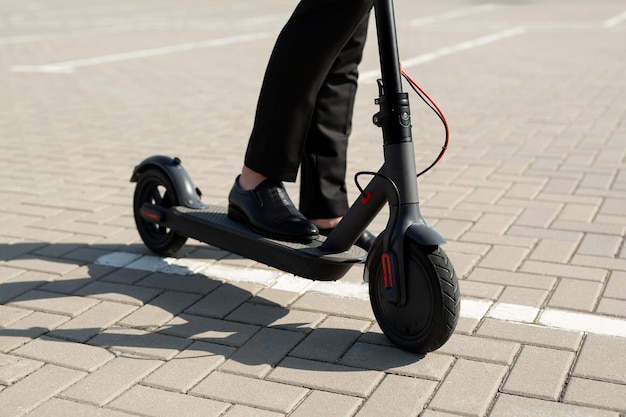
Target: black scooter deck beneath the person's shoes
[(308, 260)]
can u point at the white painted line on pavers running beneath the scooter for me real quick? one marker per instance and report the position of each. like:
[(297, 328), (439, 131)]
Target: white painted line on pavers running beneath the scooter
[(270, 278)]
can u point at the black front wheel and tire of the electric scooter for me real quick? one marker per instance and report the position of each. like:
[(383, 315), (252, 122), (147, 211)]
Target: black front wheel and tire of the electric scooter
[(433, 300)]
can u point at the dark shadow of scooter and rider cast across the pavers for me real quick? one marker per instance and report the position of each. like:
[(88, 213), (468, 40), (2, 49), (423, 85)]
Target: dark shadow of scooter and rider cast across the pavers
[(162, 315)]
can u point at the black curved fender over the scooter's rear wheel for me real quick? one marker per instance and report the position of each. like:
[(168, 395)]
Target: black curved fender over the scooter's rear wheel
[(188, 194)]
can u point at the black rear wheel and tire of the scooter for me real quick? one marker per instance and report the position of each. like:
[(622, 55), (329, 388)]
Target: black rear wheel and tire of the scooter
[(154, 187)]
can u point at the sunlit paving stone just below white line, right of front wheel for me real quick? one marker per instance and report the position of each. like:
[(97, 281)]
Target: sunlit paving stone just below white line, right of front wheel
[(530, 334)]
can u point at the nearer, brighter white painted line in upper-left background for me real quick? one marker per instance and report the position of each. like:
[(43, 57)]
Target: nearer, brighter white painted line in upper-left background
[(70, 66)]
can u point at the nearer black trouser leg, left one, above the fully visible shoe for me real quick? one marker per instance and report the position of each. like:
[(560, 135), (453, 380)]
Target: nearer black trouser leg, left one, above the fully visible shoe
[(303, 56)]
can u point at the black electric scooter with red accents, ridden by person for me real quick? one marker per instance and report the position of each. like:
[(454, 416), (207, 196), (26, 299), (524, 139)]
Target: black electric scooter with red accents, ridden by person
[(413, 288)]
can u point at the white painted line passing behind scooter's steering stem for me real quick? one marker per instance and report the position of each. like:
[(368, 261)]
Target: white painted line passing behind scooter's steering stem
[(370, 76)]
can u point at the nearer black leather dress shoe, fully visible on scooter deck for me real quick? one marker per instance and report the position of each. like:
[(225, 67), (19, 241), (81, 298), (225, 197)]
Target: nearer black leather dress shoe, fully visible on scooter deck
[(269, 211)]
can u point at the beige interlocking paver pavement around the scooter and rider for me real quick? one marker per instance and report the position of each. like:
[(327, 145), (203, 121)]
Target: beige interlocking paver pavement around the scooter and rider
[(530, 196)]
